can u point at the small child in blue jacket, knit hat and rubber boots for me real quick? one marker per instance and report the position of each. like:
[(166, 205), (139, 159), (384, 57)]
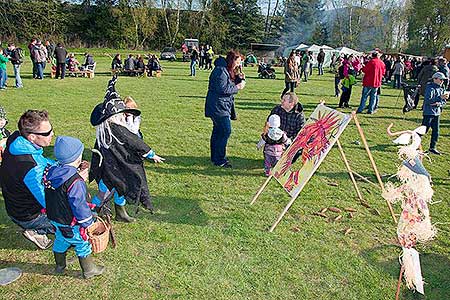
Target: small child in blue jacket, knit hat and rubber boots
[(67, 208)]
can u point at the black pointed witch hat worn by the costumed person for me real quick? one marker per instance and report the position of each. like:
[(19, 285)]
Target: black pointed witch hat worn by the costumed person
[(112, 104)]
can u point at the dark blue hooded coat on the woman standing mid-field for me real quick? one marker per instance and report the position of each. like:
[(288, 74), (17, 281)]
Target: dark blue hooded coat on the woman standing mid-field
[(220, 100)]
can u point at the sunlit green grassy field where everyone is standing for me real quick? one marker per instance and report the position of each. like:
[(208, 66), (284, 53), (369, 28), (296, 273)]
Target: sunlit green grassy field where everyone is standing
[(205, 240)]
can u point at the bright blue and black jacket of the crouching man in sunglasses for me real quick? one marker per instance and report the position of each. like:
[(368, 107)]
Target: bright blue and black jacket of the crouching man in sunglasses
[(21, 178)]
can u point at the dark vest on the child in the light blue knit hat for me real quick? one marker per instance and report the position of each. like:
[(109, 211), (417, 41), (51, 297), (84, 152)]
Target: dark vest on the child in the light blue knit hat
[(57, 202)]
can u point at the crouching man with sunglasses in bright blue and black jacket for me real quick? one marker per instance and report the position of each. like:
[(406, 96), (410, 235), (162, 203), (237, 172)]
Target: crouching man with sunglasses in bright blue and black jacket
[(21, 174)]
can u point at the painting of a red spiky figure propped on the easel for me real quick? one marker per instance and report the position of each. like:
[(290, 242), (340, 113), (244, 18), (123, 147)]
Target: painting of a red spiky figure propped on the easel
[(309, 148)]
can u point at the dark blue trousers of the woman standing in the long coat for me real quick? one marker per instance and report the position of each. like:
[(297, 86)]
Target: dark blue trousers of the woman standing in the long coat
[(219, 139)]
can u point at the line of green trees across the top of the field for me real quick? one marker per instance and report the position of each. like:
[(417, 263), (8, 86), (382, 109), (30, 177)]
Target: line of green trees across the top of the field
[(415, 26)]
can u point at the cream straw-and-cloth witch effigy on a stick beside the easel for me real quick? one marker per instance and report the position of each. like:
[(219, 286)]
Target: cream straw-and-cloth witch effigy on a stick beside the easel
[(414, 193)]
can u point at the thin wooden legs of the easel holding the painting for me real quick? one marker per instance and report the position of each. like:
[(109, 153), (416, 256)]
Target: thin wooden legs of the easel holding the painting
[(350, 172)]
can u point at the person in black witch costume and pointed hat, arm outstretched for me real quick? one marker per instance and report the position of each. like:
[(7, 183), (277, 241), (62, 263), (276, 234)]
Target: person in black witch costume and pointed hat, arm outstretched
[(119, 166)]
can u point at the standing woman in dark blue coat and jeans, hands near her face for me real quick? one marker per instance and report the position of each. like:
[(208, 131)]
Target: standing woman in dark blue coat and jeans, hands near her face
[(220, 103)]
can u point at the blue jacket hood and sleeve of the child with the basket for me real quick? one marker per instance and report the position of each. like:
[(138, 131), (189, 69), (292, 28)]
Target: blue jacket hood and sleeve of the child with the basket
[(76, 193)]
